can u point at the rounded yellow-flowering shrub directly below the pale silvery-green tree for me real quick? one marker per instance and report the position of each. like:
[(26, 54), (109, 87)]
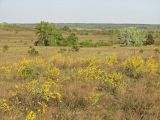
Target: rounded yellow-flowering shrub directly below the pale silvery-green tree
[(134, 66)]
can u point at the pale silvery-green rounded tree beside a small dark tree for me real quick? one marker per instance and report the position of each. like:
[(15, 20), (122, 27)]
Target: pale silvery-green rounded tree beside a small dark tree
[(131, 37)]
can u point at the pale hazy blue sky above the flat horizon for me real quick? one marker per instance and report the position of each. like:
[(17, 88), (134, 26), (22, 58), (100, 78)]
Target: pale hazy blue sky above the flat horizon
[(80, 11)]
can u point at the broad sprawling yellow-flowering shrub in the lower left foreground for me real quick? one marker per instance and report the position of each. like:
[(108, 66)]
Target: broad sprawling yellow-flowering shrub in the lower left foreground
[(31, 94)]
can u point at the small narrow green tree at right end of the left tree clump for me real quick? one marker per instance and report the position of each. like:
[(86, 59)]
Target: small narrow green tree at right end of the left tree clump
[(73, 41)]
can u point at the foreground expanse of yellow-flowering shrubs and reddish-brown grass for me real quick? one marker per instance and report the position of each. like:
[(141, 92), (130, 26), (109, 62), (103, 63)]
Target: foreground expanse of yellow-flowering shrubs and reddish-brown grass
[(65, 86)]
